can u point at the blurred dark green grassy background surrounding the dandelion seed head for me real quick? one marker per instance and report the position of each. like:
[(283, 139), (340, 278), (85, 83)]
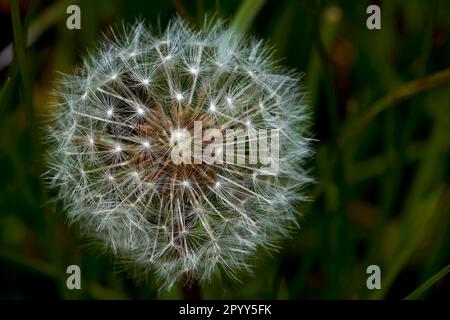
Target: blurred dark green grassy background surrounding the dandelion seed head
[(380, 101)]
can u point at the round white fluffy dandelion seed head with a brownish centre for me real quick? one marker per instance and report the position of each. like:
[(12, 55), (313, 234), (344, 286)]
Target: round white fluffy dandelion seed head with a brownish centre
[(111, 161)]
